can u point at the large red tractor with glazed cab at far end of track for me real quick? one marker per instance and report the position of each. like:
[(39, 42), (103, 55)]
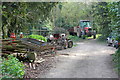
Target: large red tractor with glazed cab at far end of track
[(83, 29)]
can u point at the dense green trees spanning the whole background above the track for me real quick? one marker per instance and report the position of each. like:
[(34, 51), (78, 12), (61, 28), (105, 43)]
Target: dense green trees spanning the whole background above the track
[(25, 16)]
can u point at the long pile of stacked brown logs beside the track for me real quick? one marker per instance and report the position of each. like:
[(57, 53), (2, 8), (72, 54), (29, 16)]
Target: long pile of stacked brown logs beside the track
[(24, 50)]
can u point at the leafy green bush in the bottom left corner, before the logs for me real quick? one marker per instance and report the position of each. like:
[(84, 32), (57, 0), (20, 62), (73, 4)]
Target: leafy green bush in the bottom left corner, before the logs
[(11, 67)]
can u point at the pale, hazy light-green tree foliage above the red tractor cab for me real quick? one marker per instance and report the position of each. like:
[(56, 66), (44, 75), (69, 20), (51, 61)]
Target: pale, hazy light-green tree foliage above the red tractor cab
[(70, 14)]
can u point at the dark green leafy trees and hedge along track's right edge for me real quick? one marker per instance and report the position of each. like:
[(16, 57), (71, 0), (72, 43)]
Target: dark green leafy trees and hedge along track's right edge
[(107, 16)]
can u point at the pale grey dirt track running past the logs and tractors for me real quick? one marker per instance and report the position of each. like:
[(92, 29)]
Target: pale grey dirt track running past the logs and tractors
[(88, 59)]
